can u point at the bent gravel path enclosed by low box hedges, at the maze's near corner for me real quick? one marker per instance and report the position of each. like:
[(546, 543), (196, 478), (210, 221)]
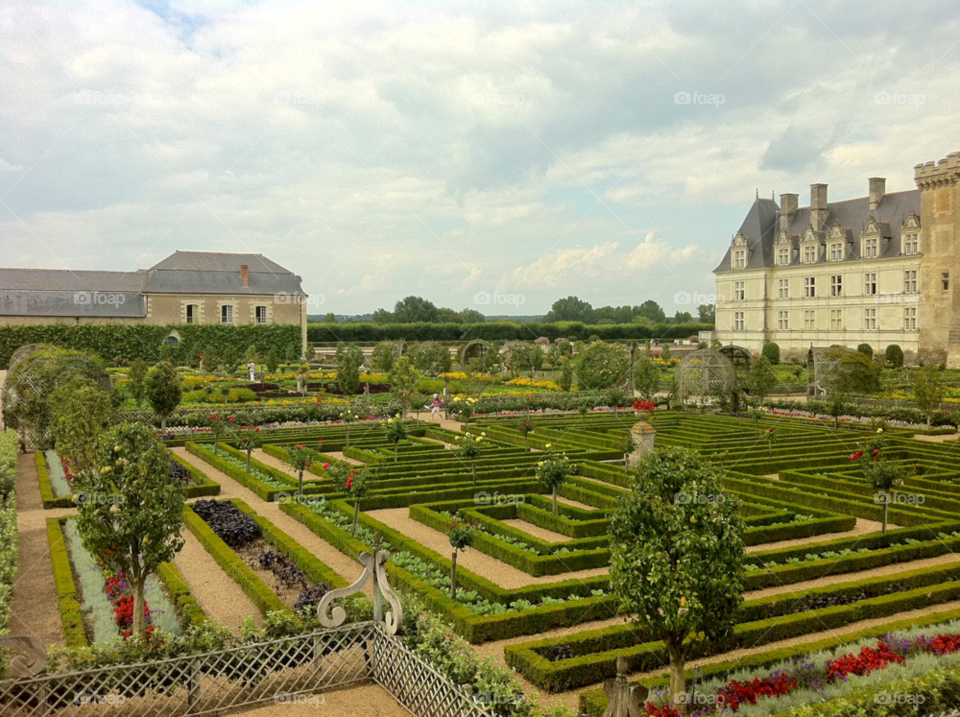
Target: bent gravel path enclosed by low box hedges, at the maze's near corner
[(506, 576)]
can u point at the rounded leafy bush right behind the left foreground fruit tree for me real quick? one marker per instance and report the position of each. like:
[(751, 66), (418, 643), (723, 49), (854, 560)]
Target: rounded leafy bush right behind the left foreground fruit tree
[(82, 412)]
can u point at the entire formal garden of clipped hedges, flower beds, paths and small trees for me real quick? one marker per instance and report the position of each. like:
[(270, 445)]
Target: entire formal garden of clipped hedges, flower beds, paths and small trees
[(772, 555)]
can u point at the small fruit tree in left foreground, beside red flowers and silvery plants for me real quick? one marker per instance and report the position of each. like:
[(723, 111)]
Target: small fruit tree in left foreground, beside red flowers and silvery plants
[(132, 523)]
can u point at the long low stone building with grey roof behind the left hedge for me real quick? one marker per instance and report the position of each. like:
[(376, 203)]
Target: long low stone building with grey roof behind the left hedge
[(187, 287)]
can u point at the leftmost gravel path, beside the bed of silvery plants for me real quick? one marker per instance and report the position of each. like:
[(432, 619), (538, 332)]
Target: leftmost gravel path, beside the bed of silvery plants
[(35, 611)]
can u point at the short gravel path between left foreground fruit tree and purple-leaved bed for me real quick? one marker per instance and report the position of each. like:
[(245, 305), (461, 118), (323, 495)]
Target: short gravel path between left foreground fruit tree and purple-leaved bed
[(219, 595)]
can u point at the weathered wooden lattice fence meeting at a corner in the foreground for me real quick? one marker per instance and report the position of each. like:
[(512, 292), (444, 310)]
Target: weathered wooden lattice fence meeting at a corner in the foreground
[(287, 670)]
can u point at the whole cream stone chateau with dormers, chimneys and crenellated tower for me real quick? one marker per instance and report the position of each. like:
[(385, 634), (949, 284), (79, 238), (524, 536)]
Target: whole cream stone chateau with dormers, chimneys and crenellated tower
[(878, 270)]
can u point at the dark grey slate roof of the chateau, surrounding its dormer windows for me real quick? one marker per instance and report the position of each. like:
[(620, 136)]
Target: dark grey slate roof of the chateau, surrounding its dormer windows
[(762, 225)]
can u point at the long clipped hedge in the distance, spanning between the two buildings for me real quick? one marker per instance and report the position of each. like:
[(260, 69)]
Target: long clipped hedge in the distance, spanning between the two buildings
[(497, 331)]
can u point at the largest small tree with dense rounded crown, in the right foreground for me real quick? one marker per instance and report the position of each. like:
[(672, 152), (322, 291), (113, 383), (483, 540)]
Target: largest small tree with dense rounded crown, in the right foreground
[(677, 553)]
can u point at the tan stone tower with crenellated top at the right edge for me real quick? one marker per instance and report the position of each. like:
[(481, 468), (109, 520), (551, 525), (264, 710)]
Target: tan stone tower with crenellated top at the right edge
[(939, 314)]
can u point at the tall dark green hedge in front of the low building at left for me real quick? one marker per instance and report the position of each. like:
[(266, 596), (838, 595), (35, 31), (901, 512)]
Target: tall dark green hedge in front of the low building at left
[(133, 341)]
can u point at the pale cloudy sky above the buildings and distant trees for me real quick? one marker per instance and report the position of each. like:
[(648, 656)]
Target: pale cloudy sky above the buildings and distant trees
[(494, 156)]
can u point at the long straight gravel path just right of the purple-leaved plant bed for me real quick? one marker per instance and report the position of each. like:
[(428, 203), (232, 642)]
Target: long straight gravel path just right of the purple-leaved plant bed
[(348, 568)]
